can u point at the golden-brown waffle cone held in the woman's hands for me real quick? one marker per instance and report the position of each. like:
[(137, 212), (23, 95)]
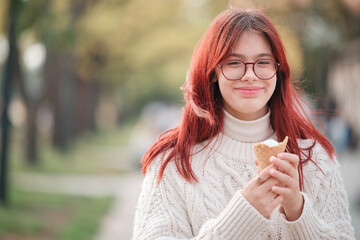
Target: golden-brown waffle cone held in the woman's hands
[(263, 152)]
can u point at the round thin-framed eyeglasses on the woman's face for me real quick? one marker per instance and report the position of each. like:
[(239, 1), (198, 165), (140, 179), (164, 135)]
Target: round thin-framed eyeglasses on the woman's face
[(264, 69)]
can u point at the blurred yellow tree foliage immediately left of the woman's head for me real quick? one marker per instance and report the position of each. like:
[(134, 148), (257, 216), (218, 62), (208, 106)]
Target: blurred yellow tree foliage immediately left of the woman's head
[(147, 45)]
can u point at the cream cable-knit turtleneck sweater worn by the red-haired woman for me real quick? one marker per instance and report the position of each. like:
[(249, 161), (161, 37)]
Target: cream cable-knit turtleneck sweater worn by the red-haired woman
[(214, 208)]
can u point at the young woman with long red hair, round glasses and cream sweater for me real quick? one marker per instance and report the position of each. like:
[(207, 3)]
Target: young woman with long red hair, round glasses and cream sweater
[(201, 180)]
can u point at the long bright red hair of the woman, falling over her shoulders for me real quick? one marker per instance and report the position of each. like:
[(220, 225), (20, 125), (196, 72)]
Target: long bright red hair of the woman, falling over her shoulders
[(203, 113)]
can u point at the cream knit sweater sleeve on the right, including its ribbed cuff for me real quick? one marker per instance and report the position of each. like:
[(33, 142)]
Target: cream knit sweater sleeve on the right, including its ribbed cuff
[(326, 210)]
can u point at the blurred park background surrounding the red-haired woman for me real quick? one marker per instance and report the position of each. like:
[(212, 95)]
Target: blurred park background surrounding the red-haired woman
[(88, 85)]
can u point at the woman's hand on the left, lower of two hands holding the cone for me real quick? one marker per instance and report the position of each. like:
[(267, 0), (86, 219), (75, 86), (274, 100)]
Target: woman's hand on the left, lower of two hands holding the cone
[(259, 194)]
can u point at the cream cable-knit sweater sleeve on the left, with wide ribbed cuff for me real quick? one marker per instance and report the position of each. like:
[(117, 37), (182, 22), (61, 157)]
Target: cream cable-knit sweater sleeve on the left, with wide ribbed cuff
[(162, 214)]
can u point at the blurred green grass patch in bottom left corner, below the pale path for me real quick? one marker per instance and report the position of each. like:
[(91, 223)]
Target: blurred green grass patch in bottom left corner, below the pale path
[(51, 216)]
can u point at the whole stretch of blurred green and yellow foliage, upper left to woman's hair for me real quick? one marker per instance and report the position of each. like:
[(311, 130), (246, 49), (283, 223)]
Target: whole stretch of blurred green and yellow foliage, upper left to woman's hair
[(137, 50)]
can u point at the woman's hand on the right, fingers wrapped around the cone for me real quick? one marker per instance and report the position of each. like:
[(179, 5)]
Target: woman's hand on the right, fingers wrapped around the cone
[(285, 170)]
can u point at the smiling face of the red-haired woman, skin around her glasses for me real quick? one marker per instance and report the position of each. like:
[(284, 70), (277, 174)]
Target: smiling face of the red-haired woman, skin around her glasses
[(247, 98)]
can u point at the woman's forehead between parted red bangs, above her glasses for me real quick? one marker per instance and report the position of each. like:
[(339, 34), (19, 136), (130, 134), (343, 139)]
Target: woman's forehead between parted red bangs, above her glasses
[(251, 44)]
